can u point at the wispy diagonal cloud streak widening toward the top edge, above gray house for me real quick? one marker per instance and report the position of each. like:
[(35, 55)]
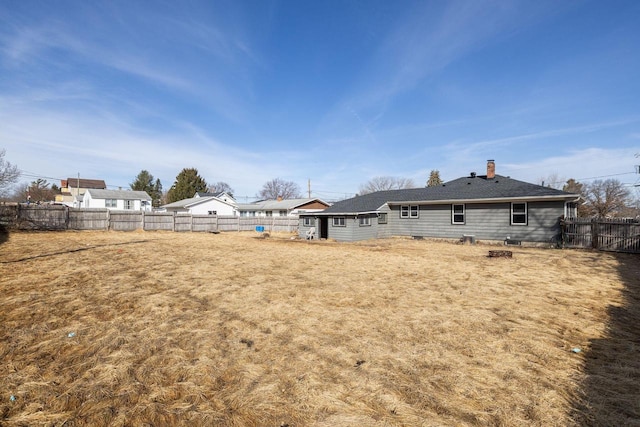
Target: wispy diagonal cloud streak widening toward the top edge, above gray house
[(431, 37)]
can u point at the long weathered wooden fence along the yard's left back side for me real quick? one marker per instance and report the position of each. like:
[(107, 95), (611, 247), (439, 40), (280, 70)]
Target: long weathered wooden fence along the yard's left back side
[(58, 217)]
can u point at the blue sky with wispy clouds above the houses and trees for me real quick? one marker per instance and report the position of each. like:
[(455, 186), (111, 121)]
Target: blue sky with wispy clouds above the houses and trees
[(336, 92)]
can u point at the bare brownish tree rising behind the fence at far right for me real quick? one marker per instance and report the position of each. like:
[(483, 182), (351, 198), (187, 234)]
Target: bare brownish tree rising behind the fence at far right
[(606, 198)]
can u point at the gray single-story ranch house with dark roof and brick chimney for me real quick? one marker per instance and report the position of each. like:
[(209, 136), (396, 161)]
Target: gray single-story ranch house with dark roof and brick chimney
[(483, 207)]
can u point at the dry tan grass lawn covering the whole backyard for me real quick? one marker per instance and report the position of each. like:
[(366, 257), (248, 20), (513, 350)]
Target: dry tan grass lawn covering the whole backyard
[(105, 328)]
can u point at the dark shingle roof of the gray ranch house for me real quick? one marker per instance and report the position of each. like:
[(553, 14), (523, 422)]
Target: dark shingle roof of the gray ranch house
[(462, 189)]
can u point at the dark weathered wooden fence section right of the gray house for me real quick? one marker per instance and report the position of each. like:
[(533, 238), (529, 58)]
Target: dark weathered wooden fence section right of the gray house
[(619, 235)]
